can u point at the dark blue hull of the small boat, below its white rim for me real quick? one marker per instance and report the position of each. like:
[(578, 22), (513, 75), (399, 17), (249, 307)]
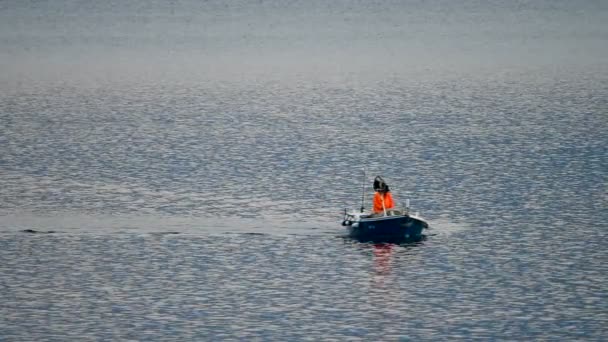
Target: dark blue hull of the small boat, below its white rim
[(388, 229)]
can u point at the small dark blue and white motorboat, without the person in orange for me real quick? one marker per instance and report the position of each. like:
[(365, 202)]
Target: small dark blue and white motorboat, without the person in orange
[(393, 225)]
